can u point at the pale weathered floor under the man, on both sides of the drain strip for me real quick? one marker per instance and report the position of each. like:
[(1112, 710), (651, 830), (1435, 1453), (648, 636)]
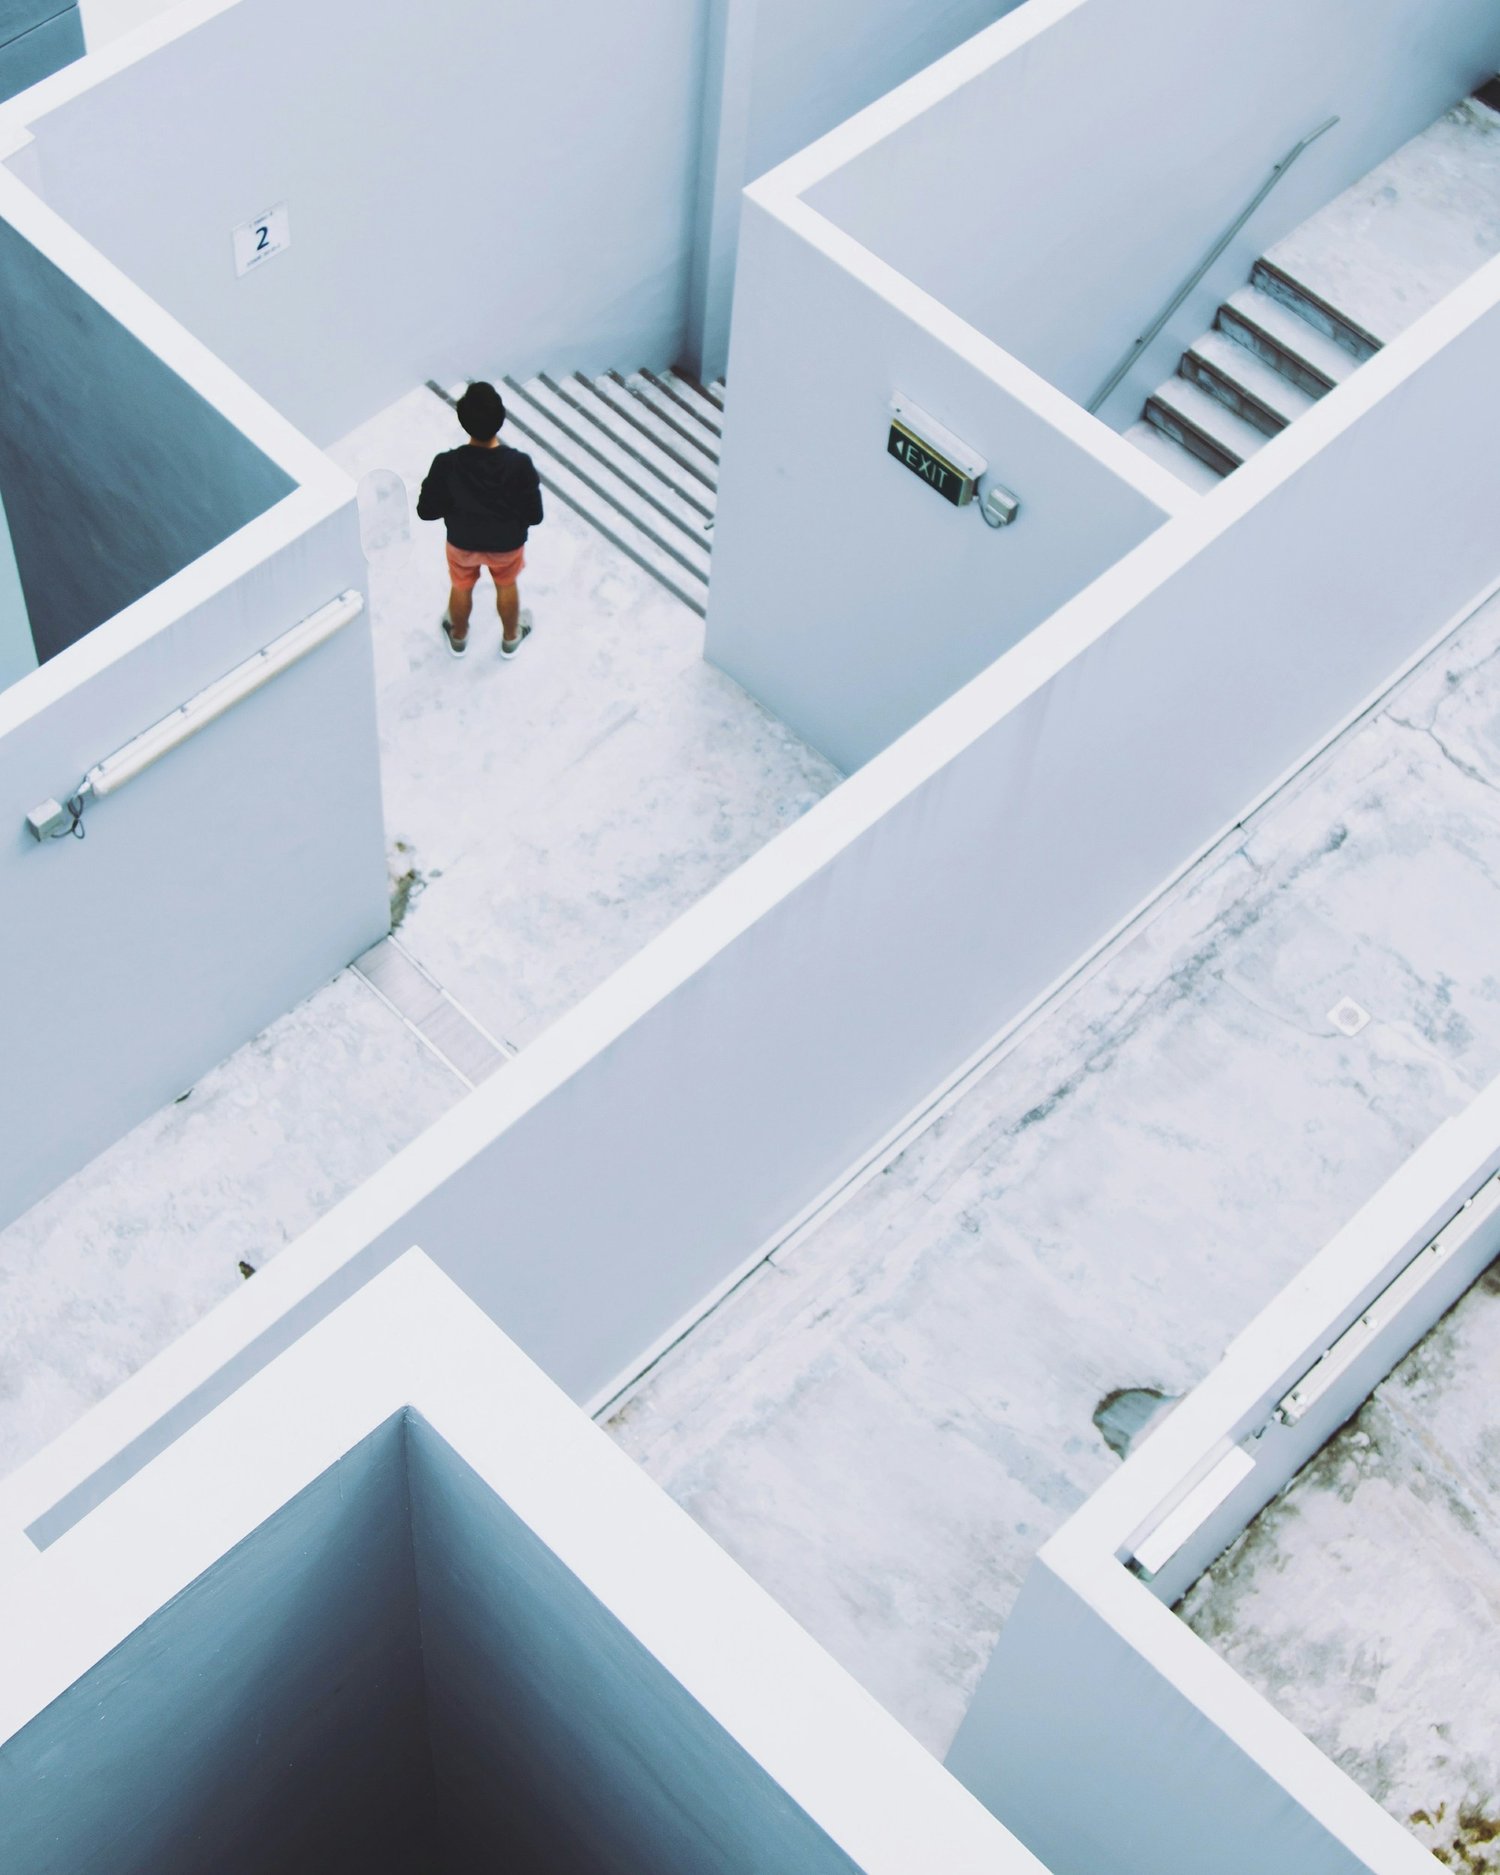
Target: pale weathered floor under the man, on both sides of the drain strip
[(552, 815)]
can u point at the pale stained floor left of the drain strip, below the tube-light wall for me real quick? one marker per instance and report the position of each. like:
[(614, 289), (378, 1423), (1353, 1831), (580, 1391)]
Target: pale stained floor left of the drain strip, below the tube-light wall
[(127, 1255)]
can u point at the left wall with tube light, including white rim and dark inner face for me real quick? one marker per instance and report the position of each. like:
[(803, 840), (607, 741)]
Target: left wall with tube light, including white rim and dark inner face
[(168, 528)]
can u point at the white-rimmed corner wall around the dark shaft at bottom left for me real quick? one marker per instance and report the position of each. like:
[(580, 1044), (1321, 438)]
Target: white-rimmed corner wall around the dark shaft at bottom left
[(397, 1604)]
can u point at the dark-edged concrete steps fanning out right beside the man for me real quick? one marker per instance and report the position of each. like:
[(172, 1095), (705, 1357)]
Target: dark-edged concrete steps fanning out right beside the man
[(637, 457)]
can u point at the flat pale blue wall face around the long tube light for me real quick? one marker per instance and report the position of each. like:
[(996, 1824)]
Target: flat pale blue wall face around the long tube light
[(213, 893)]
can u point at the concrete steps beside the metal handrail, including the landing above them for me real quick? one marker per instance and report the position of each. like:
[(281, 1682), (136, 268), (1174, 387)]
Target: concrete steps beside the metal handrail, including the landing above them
[(1330, 295)]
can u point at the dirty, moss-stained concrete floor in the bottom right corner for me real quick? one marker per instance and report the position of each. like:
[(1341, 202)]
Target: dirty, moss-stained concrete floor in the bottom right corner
[(1366, 1600)]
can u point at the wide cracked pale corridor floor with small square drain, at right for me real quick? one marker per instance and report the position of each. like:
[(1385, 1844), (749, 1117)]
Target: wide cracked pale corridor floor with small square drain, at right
[(884, 1424)]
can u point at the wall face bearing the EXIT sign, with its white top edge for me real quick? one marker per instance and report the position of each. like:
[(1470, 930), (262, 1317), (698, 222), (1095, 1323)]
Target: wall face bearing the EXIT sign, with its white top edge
[(847, 595)]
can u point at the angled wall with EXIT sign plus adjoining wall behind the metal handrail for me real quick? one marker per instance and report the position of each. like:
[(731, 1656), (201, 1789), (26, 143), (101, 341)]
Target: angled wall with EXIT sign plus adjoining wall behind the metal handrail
[(987, 243)]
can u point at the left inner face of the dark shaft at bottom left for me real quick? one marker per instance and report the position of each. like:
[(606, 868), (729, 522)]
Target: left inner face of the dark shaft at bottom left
[(269, 1718)]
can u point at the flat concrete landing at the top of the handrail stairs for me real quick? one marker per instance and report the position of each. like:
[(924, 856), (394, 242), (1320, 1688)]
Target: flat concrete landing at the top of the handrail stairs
[(1409, 232)]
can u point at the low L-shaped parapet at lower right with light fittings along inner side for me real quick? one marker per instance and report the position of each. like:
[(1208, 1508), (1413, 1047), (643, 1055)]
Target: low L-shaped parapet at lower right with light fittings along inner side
[(1096, 1683)]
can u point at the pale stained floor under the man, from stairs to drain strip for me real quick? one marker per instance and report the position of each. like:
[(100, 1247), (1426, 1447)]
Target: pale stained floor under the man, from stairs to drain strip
[(562, 809)]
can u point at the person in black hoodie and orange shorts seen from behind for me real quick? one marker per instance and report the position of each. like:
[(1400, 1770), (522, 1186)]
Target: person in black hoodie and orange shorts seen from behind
[(490, 500)]
